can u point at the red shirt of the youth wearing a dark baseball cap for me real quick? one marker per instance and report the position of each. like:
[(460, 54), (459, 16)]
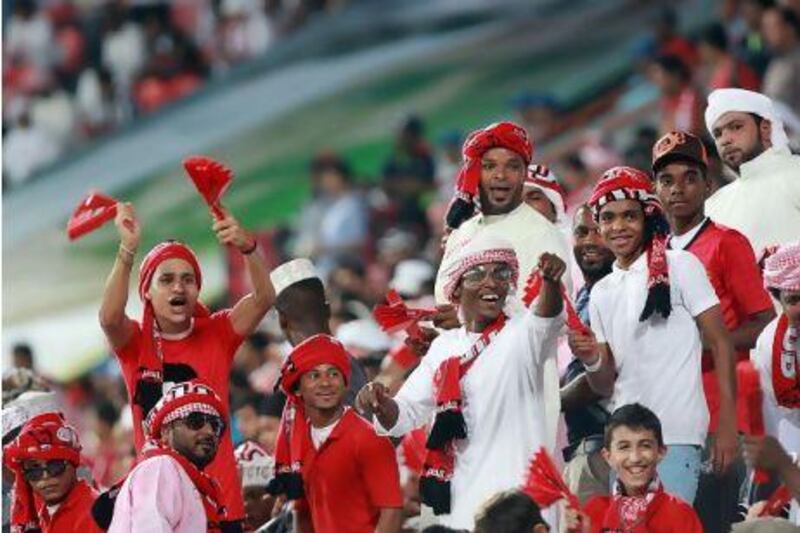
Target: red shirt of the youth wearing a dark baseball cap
[(731, 267)]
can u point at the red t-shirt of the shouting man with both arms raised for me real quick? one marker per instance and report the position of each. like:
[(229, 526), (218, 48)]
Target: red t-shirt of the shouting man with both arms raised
[(207, 353)]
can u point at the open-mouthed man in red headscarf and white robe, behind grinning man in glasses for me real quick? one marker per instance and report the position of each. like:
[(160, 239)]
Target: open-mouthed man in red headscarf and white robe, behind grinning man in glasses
[(496, 159)]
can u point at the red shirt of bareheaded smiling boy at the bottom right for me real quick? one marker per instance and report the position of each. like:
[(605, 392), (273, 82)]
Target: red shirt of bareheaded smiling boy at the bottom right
[(665, 514)]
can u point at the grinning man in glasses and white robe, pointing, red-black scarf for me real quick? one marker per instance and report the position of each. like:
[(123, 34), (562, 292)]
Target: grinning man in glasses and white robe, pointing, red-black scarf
[(482, 384)]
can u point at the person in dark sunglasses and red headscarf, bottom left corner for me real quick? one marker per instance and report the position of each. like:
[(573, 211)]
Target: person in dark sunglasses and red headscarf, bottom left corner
[(48, 496)]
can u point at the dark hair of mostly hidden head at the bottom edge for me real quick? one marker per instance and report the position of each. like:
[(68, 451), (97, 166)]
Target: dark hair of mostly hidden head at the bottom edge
[(511, 511)]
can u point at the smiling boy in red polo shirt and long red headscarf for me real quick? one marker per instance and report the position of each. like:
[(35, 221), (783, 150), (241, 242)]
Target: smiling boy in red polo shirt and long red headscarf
[(327, 456)]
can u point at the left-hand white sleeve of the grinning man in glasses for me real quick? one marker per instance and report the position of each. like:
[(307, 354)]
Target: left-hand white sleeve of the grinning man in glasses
[(415, 399)]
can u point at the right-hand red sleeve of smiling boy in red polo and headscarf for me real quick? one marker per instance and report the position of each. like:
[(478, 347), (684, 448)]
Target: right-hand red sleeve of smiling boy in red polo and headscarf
[(379, 471)]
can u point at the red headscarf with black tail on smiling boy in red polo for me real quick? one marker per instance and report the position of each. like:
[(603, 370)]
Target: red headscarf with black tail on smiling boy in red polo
[(293, 434)]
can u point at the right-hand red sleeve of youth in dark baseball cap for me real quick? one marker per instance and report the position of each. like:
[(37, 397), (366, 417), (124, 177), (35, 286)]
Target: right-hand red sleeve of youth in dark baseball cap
[(744, 280)]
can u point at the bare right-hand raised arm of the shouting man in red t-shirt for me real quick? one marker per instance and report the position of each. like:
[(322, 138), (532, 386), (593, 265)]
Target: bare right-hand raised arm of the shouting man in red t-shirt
[(248, 312)]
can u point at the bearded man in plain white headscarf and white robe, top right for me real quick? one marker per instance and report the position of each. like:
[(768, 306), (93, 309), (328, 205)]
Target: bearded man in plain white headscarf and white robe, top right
[(764, 202)]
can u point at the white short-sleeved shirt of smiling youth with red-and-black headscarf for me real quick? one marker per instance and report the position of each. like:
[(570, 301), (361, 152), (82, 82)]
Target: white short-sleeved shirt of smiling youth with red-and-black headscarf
[(657, 361)]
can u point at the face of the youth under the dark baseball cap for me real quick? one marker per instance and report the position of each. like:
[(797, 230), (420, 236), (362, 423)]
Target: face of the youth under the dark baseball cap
[(682, 189)]
